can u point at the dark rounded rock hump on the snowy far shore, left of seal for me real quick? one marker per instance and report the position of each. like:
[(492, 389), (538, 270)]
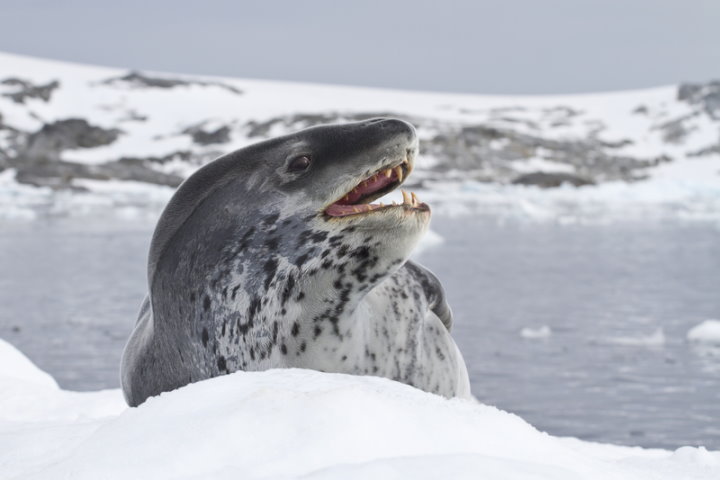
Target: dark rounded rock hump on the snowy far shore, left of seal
[(53, 138)]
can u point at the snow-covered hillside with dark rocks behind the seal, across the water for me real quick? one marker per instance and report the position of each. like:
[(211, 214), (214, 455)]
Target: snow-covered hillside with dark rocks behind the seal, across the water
[(76, 138)]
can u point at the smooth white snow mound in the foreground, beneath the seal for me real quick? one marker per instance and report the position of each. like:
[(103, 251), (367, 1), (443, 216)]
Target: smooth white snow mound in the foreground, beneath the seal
[(296, 424)]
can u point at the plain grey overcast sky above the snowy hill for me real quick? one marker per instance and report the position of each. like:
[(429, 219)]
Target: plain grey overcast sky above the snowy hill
[(490, 46)]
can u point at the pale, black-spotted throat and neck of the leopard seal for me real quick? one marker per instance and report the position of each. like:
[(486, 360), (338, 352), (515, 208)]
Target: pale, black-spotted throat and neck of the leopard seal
[(279, 288)]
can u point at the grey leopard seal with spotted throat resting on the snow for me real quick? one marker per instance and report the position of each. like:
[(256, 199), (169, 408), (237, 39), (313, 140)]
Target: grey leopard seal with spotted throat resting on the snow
[(272, 256)]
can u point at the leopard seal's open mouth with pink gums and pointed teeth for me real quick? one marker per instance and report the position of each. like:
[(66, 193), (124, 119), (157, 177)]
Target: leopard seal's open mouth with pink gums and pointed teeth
[(357, 201)]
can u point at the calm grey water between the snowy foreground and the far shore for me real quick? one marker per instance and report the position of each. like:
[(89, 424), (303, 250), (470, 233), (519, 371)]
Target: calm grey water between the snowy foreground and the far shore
[(70, 290)]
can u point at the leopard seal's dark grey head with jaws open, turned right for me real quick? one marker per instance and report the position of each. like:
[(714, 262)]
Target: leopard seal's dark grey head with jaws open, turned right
[(324, 177)]
